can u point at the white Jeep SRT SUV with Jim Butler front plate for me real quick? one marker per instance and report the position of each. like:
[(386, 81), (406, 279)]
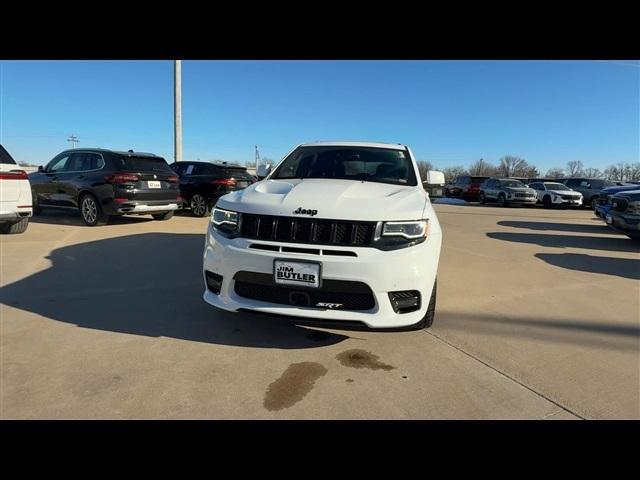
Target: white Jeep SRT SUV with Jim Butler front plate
[(337, 231)]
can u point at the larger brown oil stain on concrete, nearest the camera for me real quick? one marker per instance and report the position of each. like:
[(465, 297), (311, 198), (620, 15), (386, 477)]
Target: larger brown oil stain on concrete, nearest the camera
[(293, 385)]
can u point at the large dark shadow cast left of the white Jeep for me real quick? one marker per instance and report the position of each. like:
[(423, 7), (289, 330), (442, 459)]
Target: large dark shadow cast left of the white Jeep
[(147, 284)]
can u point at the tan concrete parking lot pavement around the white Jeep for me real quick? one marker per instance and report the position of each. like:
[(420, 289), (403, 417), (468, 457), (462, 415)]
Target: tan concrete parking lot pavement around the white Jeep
[(537, 318)]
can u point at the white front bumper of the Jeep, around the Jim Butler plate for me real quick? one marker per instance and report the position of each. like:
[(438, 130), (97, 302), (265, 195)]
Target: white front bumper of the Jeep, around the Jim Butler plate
[(412, 268)]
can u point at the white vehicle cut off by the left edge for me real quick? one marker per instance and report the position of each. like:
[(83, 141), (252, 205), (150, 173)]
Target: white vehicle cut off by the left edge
[(15, 195)]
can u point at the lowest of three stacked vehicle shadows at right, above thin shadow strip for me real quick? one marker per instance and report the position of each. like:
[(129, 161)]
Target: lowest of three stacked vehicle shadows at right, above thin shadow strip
[(620, 267)]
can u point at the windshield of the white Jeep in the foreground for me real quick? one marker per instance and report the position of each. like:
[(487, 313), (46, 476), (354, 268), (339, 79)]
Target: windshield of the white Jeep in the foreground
[(349, 163)]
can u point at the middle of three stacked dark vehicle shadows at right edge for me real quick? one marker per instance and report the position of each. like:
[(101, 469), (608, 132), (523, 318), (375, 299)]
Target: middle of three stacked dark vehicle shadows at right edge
[(621, 244)]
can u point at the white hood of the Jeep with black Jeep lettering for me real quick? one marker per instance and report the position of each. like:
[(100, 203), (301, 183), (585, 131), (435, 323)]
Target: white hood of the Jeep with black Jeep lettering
[(331, 199)]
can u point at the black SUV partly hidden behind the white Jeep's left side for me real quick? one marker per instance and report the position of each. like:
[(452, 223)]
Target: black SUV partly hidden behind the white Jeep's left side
[(202, 183)]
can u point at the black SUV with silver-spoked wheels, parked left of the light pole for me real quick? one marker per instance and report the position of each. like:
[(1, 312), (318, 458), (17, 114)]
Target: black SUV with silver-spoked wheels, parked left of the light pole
[(102, 183)]
